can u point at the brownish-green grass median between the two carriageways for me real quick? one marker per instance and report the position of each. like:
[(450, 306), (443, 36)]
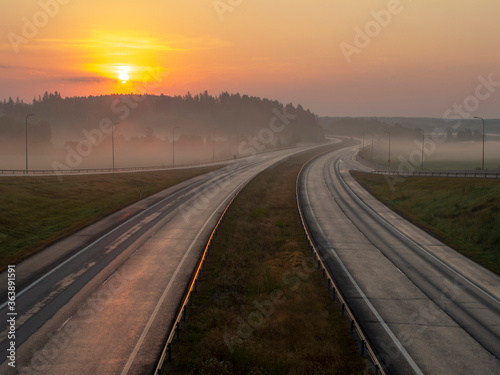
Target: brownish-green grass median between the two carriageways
[(259, 258)]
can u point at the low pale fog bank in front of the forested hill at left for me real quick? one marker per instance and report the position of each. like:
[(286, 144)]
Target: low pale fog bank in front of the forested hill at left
[(131, 149)]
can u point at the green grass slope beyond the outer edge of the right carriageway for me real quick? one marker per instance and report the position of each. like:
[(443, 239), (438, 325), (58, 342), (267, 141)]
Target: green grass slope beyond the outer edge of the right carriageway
[(464, 213)]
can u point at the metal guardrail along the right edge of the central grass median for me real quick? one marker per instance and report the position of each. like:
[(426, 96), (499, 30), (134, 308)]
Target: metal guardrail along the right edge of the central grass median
[(336, 293)]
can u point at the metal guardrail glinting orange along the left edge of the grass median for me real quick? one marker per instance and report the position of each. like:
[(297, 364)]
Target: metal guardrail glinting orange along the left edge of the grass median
[(181, 315)]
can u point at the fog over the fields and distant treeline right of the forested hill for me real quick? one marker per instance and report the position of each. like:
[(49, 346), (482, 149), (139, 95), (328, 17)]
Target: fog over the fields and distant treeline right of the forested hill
[(447, 146)]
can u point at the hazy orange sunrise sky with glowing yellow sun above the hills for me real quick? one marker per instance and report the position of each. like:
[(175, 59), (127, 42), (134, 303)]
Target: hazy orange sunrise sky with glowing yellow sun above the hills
[(336, 57)]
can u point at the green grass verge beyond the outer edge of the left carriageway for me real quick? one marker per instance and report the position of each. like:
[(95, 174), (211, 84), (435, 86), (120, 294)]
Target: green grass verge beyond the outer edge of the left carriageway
[(37, 211)]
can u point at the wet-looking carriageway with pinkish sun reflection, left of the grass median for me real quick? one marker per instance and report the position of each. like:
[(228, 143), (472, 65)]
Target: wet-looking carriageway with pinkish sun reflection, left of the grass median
[(102, 300)]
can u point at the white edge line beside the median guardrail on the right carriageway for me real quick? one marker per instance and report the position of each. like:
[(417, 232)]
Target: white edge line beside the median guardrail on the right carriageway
[(403, 351)]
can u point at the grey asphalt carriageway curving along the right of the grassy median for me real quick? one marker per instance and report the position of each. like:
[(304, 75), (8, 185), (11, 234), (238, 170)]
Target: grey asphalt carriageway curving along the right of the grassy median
[(425, 308)]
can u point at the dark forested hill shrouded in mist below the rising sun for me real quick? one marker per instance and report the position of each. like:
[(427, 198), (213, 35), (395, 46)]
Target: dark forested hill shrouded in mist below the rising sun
[(145, 125)]
